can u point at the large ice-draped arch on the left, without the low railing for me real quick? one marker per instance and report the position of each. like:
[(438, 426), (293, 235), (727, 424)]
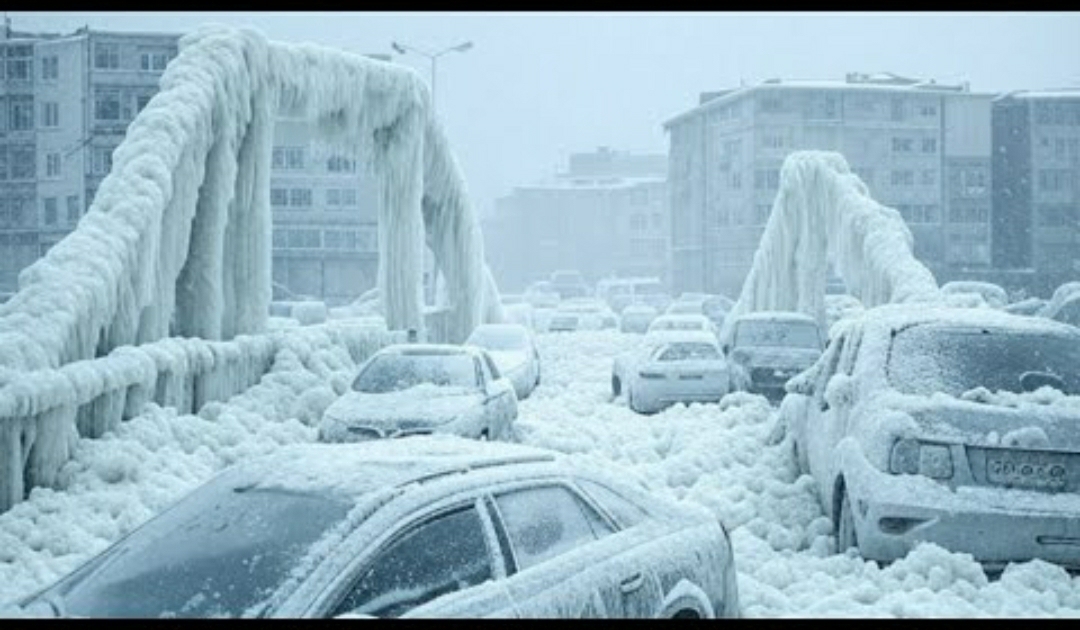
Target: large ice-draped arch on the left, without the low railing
[(178, 242)]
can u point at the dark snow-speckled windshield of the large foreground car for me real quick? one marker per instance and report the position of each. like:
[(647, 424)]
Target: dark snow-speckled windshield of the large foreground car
[(220, 553)]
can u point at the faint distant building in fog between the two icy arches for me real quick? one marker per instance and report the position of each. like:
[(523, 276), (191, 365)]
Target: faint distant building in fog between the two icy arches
[(607, 216)]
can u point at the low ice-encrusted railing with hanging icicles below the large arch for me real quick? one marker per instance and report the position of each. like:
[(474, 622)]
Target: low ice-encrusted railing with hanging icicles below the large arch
[(45, 412)]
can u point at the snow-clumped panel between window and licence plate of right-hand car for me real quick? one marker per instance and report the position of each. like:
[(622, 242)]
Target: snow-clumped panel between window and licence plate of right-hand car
[(1033, 426)]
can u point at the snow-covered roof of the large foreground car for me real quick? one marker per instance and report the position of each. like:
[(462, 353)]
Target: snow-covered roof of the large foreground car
[(355, 471)]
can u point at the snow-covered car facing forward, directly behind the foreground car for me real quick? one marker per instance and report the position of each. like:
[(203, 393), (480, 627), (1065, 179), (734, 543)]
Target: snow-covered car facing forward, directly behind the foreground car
[(412, 390)]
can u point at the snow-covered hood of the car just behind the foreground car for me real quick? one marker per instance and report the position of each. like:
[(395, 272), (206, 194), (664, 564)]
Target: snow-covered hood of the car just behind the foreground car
[(417, 407)]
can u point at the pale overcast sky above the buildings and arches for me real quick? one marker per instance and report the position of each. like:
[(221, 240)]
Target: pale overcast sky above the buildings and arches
[(538, 87)]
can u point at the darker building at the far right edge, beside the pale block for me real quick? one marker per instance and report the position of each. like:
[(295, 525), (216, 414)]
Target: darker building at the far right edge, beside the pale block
[(1036, 185)]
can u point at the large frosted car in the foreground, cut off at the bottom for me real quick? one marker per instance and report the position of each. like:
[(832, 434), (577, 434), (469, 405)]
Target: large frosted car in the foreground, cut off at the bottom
[(434, 527)]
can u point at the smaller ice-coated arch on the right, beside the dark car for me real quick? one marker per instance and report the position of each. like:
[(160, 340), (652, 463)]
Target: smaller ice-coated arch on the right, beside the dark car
[(823, 213)]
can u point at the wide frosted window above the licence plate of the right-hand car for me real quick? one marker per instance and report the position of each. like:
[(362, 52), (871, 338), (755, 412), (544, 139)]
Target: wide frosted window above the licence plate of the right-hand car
[(950, 359)]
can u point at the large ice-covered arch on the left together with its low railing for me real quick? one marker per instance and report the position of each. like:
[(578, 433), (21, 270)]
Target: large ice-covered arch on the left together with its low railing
[(163, 291)]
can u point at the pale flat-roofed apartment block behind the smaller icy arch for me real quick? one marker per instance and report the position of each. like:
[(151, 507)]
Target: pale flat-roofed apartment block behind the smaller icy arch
[(922, 149)]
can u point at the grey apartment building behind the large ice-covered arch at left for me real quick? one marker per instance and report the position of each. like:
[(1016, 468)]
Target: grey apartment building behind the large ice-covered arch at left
[(65, 106)]
